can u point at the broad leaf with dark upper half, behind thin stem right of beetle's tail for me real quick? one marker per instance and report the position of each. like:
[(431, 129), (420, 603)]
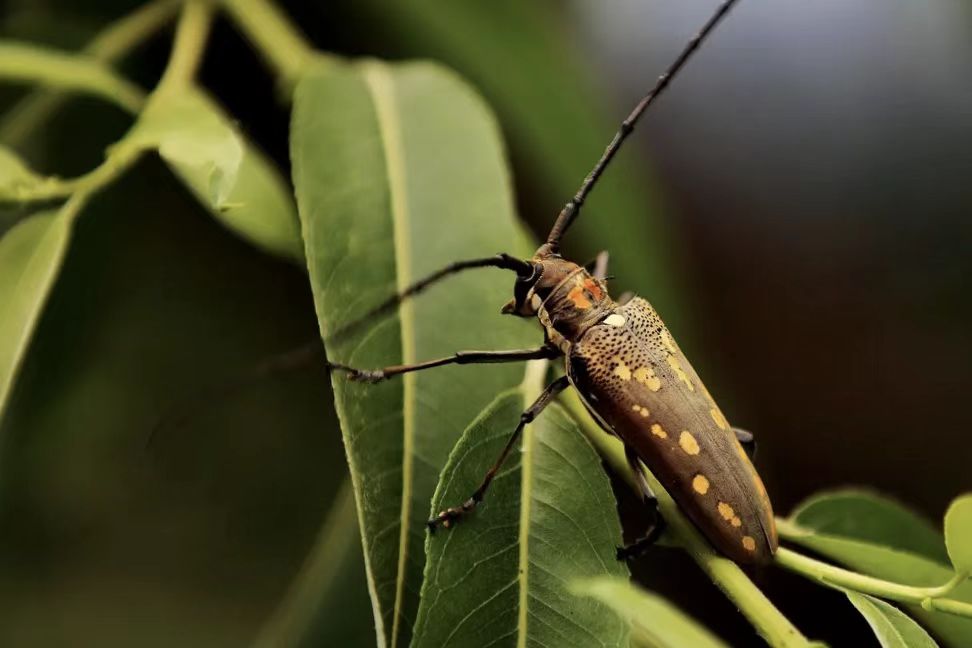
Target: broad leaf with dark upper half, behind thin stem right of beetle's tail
[(893, 544)]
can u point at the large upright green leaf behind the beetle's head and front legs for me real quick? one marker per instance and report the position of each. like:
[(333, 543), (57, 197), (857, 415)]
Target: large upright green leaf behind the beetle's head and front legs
[(398, 171)]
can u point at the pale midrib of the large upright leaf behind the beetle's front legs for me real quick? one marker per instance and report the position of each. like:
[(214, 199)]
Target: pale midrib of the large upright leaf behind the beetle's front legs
[(379, 84)]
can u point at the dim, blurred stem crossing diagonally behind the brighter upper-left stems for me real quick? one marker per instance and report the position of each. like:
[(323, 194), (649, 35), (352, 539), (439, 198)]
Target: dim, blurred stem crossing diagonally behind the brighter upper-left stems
[(25, 117)]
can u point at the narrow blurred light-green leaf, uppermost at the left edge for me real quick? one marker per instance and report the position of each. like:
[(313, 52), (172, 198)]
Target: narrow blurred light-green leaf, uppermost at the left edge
[(30, 63)]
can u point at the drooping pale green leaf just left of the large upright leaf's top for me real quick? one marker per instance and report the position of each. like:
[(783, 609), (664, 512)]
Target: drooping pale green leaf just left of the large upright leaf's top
[(230, 176)]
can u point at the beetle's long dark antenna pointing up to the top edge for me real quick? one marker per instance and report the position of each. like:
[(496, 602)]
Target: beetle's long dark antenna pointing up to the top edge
[(572, 209)]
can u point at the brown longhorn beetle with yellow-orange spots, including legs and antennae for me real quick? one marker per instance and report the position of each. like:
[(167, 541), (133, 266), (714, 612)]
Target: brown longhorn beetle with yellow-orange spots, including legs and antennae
[(630, 374)]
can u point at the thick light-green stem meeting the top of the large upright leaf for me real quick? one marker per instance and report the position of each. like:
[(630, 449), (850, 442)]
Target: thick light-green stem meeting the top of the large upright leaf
[(272, 33)]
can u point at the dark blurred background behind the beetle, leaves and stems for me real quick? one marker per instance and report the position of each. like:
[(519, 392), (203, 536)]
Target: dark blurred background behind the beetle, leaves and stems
[(804, 195)]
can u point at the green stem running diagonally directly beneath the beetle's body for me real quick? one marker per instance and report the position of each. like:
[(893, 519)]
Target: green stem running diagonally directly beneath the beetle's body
[(769, 622)]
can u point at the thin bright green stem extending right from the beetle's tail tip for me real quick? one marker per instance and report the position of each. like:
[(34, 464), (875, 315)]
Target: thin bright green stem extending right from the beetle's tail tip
[(929, 598)]
